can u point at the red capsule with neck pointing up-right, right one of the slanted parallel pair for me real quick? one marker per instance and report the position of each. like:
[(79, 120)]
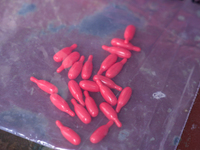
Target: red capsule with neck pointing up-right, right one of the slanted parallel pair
[(115, 69)]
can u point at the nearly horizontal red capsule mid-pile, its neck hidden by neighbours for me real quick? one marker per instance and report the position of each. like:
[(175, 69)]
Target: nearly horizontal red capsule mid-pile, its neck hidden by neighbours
[(89, 86)]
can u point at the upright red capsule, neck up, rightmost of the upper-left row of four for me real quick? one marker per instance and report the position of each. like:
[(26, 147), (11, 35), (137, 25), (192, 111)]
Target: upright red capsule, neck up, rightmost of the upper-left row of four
[(87, 68)]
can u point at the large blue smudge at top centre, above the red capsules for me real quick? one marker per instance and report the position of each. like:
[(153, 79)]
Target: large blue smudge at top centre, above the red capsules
[(109, 20)]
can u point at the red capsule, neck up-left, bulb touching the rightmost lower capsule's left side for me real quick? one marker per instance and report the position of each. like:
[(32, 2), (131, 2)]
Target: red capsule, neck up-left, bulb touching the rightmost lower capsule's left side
[(107, 94)]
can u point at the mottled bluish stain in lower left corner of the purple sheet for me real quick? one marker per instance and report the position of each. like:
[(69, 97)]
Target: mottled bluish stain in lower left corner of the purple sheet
[(27, 121)]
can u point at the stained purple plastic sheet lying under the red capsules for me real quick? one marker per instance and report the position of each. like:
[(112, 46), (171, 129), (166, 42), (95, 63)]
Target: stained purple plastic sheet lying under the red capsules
[(164, 76)]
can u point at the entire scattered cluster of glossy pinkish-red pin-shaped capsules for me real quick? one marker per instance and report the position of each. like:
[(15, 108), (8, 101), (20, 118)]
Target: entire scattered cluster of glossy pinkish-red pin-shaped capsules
[(103, 84)]
